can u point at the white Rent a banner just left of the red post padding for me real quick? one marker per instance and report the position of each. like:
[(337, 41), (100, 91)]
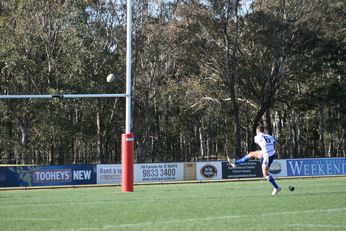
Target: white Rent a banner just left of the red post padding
[(109, 174)]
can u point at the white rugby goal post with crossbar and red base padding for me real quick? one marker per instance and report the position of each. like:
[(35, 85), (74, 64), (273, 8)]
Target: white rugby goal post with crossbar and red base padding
[(127, 138)]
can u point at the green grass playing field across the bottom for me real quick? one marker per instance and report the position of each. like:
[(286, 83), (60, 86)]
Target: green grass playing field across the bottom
[(316, 204)]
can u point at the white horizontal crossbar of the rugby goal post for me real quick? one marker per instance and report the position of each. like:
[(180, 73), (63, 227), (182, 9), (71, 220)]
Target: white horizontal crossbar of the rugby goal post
[(62, 96)]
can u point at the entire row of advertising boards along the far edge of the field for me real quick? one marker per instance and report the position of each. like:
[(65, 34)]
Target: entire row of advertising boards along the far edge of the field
[(24, 176)]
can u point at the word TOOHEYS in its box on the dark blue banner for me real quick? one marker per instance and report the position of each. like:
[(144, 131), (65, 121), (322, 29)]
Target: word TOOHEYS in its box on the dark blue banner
[(55, 175)]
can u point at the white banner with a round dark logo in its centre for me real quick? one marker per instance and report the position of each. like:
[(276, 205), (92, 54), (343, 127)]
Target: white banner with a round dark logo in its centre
[(209, 170)]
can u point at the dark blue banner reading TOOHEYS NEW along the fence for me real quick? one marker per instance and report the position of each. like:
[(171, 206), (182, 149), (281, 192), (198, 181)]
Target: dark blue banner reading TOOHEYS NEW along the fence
[(23, 176)]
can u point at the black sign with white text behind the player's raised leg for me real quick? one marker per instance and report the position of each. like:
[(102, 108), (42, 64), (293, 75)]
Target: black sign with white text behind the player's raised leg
[(249, 169)]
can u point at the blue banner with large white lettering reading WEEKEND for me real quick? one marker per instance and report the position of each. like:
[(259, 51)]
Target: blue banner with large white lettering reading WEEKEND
[(316, 167)]
